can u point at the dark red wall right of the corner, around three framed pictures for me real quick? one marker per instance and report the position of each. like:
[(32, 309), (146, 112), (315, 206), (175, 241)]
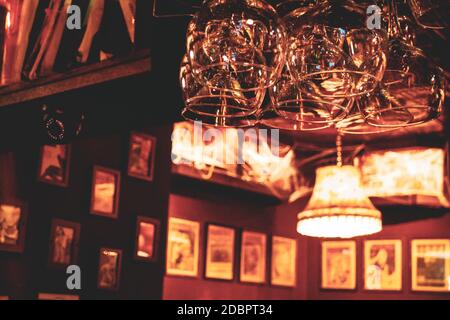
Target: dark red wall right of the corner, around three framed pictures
[(418, 223)]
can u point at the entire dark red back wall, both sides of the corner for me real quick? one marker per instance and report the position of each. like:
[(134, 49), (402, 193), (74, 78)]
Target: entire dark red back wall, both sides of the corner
[(282, 220)]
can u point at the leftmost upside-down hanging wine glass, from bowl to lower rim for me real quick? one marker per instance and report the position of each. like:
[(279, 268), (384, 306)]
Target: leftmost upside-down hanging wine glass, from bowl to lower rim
[(236, 50)]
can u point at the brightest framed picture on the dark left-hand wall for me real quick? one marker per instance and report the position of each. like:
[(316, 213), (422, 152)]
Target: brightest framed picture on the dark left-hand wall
[(105, 192)]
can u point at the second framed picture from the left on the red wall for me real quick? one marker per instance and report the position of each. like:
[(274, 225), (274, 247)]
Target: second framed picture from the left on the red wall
[(220, 244)]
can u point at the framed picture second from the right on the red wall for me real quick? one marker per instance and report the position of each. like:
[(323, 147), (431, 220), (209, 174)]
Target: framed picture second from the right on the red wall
[(383, 265)]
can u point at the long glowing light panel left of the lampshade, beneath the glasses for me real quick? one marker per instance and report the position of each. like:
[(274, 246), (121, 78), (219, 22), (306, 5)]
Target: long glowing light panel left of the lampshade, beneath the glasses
[(270, 164)]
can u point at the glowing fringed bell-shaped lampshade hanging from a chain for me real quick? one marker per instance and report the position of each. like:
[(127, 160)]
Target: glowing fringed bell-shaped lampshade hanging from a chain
[(339, 207)]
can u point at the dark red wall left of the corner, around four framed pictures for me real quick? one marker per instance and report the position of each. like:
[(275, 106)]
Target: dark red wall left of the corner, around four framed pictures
[(243, 213)]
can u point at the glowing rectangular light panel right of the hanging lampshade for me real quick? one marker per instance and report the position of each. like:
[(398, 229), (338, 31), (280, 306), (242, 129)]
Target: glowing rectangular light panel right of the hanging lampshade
[(407, 172)]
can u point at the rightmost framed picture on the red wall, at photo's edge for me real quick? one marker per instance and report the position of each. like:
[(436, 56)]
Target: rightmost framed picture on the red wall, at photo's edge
[(430, 265)]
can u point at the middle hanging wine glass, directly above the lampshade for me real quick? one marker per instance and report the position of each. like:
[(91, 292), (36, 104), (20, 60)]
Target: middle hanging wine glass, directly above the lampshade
[(332, 59)]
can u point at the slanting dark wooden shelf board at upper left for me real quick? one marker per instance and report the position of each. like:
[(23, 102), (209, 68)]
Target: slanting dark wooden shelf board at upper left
[(85, 76)]
